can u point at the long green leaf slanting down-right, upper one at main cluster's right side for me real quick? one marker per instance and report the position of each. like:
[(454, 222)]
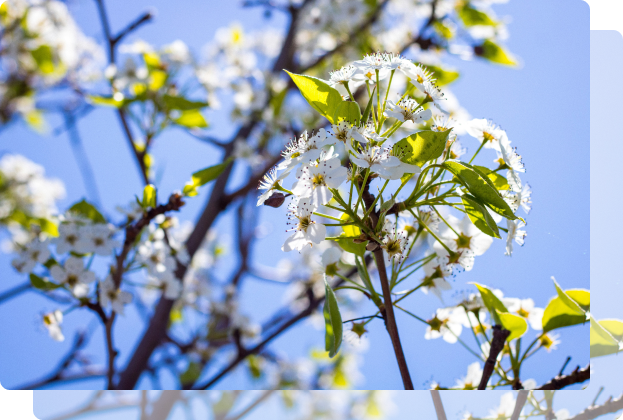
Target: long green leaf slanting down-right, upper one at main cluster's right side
[(480, 186)]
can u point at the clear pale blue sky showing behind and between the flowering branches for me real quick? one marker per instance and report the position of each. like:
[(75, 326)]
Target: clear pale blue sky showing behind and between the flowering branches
[(542, 106)]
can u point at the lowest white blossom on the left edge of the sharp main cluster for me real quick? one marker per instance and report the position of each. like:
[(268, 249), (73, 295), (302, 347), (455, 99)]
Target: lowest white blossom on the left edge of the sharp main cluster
[(306, 230)]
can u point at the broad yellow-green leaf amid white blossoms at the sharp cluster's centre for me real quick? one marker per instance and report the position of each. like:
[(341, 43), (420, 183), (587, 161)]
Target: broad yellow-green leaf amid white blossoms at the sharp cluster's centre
[(421, 147)]
